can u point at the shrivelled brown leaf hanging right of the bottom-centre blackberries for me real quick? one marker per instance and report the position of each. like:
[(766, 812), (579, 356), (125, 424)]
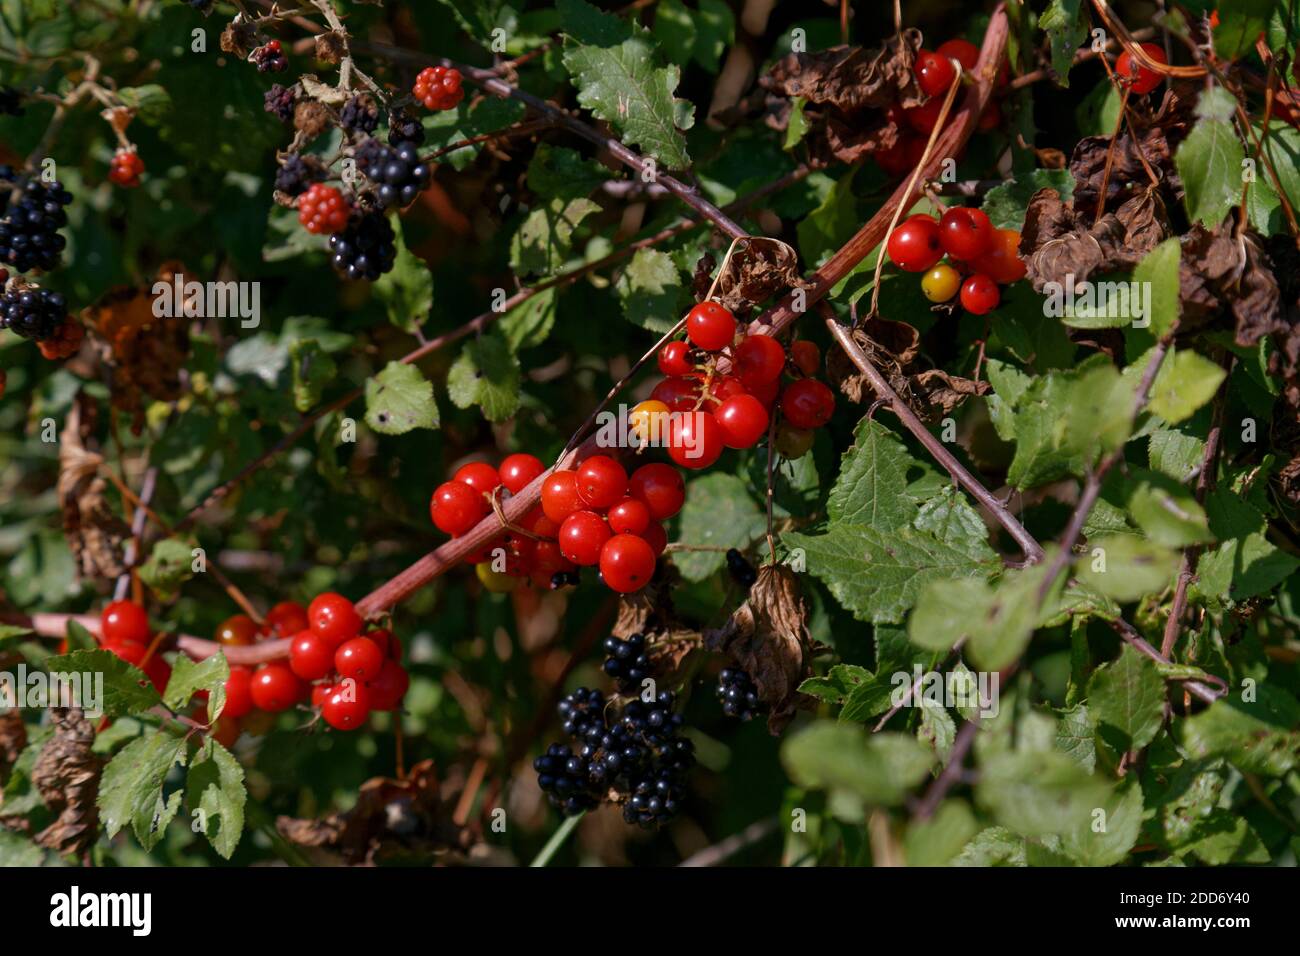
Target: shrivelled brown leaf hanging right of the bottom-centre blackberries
[(769, 638)]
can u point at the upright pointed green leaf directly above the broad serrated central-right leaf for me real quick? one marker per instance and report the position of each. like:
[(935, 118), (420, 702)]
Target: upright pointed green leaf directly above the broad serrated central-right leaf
[(872, 487)]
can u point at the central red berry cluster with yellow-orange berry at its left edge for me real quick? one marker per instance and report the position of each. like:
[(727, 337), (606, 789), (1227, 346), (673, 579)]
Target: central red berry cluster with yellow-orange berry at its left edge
[(708, 412)]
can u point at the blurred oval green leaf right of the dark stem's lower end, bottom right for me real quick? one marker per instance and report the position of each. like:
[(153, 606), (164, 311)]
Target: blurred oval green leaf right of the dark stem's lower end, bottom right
[(1037, 793)]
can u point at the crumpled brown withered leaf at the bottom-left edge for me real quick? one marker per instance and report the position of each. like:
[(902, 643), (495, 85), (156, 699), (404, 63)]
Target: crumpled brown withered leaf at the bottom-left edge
[(67, 776)]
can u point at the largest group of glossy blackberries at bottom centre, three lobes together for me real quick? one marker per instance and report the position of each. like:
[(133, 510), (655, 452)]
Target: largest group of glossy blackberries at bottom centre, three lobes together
[(638, 755)]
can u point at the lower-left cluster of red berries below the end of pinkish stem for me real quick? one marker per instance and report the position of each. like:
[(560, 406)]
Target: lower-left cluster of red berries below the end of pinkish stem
[(343, 669)]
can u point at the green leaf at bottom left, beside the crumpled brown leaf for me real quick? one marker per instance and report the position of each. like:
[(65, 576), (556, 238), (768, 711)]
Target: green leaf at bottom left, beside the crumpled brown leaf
[(131, 791)]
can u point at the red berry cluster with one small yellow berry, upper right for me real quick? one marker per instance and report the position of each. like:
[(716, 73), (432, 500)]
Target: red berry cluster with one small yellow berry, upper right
[(981, 258)]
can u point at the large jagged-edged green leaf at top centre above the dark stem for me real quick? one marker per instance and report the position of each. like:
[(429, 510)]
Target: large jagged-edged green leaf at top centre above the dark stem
[(621, 84)]
